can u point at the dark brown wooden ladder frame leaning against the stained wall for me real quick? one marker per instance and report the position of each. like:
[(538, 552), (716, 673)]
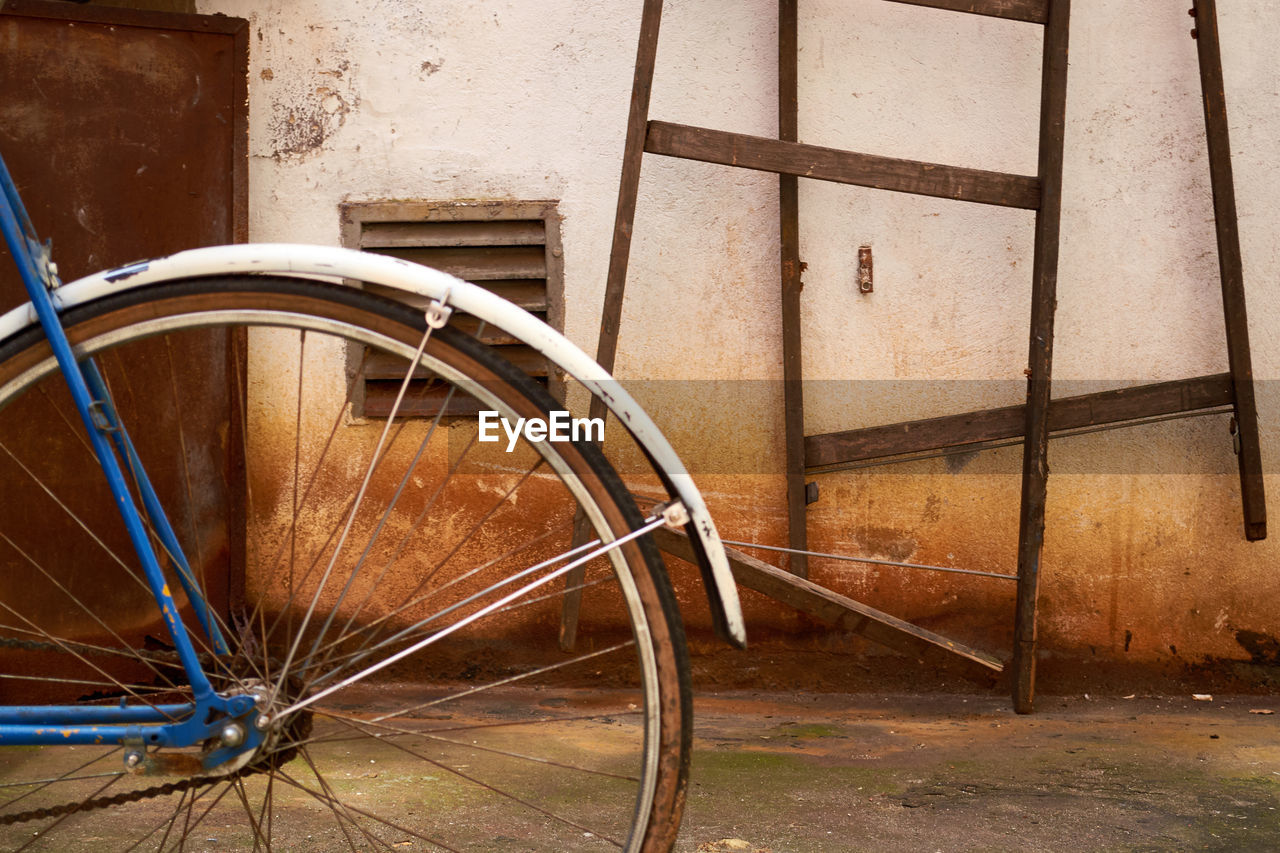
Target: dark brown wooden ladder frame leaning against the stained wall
[(1034, 422)]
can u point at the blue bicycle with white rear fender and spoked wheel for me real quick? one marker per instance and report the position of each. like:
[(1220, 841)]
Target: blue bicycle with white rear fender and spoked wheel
[(376, 633)]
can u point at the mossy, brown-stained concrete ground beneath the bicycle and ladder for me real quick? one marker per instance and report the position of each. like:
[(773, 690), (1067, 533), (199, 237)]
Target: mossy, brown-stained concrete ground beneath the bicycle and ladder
[(797, 773)]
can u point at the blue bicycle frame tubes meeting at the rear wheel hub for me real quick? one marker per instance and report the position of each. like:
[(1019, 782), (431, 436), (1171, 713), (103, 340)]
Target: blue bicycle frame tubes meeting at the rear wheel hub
[(135, 726)]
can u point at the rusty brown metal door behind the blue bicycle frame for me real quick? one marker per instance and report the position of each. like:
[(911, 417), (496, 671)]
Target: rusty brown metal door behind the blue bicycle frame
[(126, 134)]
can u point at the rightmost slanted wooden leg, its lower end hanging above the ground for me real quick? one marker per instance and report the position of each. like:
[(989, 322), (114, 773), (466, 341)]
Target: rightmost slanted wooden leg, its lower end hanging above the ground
[(1252, 492)]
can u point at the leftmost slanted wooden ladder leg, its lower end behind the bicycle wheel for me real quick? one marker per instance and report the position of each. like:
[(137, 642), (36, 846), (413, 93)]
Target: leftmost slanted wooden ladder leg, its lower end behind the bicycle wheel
[(620, 254)]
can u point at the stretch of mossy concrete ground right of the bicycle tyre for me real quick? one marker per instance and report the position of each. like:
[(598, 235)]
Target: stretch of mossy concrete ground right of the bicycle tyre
[(801, 774)]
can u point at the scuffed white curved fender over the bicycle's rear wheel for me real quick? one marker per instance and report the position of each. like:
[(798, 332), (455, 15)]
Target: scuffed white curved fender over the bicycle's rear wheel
[(305, 261)]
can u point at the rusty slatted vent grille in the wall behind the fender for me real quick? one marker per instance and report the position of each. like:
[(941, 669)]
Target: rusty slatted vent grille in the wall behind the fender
[(510, 248)]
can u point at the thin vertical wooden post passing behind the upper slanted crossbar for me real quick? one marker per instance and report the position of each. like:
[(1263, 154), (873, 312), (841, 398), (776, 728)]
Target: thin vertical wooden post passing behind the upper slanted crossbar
[(792, 284)]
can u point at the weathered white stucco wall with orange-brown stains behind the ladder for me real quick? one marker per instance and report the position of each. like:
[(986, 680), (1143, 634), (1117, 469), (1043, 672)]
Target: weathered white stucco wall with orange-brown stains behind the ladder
[(1145, 558)]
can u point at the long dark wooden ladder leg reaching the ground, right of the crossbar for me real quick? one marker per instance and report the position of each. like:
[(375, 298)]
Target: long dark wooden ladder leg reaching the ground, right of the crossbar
[(1035, 481)]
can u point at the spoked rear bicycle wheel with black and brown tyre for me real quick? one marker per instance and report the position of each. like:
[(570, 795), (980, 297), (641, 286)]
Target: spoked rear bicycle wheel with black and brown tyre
[(332, 545)]
